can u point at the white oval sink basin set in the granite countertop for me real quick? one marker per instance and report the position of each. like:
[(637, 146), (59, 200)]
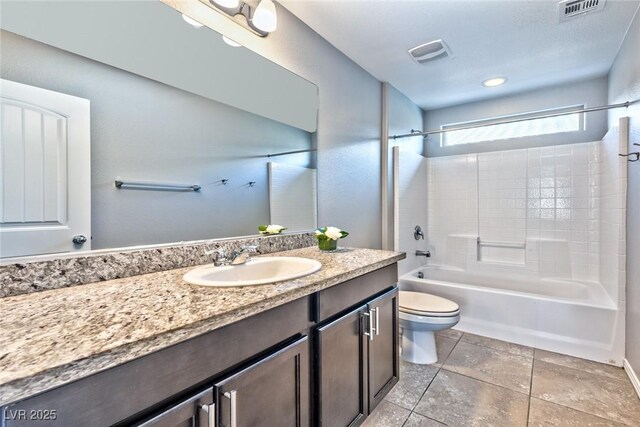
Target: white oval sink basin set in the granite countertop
[(258, 271)]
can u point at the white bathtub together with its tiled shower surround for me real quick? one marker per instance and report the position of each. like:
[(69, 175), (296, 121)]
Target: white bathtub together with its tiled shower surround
[(530, 243)]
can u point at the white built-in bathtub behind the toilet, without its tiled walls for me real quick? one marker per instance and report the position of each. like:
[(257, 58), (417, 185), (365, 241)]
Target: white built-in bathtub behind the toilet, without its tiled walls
[(564, 316)]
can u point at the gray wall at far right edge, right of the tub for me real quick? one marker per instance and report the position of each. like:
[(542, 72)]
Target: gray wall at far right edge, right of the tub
[(624, 85)]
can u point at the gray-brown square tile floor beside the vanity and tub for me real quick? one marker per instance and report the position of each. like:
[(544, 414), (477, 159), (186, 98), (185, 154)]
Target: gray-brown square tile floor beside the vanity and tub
[(480, 381)]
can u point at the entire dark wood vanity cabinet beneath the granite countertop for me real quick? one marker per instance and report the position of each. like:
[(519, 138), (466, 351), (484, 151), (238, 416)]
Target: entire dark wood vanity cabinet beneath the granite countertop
[(259, 371)]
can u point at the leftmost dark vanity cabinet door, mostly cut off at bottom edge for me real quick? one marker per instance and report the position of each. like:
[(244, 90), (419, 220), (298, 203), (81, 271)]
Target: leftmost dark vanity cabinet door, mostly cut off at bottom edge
[(195, 411)]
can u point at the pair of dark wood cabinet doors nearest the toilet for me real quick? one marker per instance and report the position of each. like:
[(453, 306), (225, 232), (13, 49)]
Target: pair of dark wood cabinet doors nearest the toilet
[(357, 361)]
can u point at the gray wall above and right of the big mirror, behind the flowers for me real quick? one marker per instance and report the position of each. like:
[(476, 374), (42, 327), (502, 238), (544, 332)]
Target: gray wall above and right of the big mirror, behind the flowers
[(349, 121)]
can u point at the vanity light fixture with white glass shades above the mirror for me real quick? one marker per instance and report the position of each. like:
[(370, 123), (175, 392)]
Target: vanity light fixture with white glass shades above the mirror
[(262, 20)]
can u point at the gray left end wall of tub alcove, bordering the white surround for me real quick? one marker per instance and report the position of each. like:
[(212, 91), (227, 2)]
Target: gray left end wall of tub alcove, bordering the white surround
[(402, 116)]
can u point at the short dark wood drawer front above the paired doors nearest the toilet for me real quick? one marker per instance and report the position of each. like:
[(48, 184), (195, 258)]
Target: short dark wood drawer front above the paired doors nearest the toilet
[(340, 297)]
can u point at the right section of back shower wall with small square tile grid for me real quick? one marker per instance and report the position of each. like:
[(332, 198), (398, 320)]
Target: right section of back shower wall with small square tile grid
[(562, 200)]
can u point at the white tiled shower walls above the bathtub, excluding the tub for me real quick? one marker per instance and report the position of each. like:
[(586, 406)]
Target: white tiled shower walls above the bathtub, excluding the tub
[(565, 204)]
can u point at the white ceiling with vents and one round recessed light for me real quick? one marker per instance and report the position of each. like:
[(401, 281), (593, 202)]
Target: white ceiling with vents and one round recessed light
[(522, 40)]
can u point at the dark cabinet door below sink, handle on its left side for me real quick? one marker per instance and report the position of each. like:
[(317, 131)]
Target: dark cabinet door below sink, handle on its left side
[(271, 392)]
